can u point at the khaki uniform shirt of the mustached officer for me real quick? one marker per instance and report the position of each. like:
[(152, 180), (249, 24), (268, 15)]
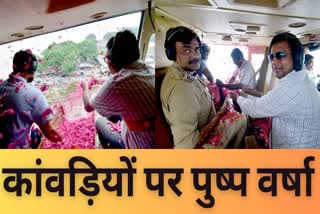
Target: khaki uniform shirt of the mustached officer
[(187, 105)]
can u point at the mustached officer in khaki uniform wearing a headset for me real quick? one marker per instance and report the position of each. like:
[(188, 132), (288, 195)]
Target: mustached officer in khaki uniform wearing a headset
[(186, 101)]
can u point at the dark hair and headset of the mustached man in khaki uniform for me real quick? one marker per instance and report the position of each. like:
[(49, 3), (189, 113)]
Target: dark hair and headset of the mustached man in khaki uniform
[(178, 34)]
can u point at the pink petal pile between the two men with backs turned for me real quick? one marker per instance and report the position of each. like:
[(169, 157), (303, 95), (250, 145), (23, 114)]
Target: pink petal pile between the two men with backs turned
[(77, 134)]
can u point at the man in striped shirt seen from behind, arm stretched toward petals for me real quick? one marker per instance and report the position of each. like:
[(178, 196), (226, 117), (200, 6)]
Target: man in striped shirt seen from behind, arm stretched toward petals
[(129, 93)]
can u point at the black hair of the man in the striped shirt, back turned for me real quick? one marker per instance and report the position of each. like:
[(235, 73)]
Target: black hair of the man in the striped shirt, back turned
[(123, 49)]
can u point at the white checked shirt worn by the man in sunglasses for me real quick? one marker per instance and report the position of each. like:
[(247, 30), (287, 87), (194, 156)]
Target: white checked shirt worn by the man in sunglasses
[(294, 105)]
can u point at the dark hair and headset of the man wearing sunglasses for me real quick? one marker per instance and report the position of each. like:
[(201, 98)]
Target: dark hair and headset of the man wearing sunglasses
[(295, 45)]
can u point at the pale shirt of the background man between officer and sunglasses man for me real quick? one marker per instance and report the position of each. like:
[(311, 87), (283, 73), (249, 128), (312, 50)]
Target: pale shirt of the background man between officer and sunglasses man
[(246, 74)]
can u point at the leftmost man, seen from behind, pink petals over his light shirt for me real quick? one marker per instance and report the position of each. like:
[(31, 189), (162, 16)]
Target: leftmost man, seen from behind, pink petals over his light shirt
[(21, 105)]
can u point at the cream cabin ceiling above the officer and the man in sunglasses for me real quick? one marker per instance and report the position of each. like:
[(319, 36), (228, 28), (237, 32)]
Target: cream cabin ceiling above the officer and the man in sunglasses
[(254, 23)]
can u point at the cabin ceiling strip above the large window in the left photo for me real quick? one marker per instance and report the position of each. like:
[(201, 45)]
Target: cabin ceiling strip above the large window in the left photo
[(16, 15)]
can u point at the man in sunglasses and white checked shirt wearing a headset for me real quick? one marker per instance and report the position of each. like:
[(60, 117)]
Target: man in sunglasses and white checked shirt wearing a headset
[(294, 103)]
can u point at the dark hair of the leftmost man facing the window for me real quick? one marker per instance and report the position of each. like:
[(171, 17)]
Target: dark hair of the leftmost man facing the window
[(24, 60)]
